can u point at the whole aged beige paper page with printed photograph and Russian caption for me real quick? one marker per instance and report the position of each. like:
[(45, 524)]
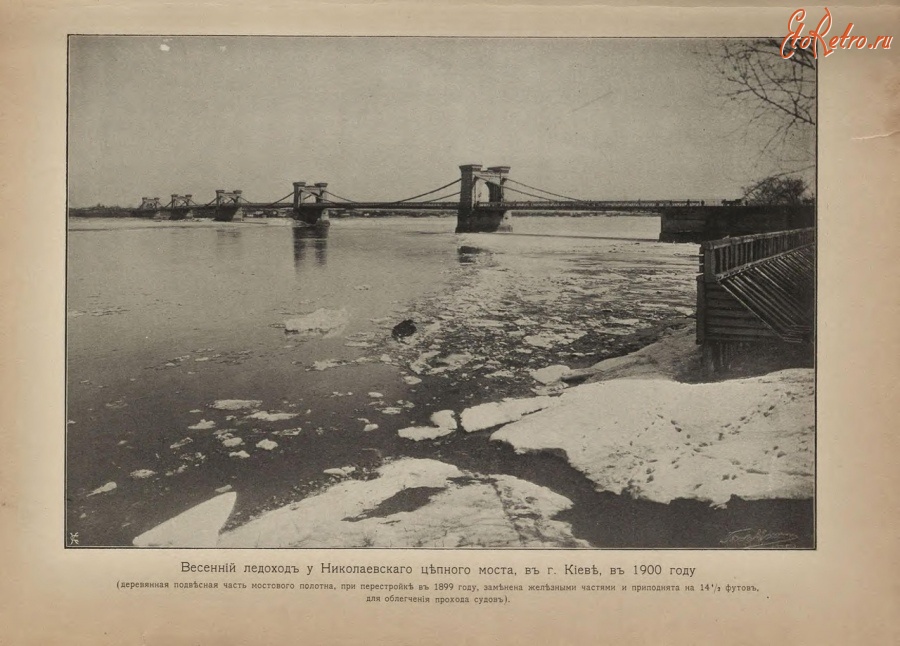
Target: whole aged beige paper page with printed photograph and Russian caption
[(78, 498)]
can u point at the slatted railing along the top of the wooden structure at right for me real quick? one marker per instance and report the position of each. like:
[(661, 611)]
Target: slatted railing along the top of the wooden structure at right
[(721, 258)]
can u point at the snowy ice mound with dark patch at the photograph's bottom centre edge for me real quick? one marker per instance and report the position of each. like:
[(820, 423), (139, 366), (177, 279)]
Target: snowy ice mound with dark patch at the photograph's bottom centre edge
[(415, 503)]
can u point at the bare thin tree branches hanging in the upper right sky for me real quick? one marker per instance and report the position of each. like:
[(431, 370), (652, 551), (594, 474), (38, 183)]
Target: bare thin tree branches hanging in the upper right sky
[(781, 91)]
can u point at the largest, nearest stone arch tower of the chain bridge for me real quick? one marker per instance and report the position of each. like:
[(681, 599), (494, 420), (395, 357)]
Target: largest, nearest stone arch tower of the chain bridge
[(474, 214)]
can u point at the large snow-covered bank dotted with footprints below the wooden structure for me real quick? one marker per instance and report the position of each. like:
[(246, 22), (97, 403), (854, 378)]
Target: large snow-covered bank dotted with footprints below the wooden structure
[(662, 440)]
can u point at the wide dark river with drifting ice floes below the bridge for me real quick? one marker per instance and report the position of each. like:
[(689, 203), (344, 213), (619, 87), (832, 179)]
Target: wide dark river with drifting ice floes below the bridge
[(165, 318)]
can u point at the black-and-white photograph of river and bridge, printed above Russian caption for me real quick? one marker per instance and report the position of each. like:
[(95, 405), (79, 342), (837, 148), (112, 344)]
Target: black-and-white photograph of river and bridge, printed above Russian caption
[(442, 292)]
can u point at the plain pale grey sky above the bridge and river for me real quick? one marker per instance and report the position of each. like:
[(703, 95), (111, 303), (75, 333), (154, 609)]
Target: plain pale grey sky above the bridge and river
[(386, 118)]
